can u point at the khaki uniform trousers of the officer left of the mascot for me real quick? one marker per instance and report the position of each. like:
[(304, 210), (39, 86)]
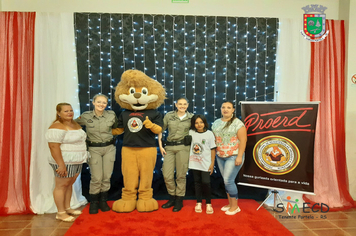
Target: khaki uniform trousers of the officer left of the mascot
[(101, 165)]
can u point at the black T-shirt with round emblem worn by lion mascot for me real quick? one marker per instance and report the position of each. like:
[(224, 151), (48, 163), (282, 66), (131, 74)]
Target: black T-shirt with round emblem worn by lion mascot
[(136, 134)]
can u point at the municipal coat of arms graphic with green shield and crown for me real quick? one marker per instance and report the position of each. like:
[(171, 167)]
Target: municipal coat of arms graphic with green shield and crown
[(314, 23)]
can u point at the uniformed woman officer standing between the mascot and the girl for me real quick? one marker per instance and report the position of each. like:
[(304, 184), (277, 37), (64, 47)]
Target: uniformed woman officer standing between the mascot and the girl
[(176, 153)]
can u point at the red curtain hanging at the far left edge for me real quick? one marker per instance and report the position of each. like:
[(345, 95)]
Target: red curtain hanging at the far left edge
[(16, 83)]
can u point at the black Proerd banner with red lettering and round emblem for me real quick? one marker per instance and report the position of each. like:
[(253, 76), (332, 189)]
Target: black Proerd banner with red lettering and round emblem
[(280, 145)]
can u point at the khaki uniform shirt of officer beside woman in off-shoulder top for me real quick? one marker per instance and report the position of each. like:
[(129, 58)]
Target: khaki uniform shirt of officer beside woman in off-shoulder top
[(98, 128)]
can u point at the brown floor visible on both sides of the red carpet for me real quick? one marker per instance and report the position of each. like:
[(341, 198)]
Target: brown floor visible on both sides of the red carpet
[(325, 224)]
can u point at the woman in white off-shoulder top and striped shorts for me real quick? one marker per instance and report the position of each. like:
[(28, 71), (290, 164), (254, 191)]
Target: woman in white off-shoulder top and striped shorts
[(66, 141)]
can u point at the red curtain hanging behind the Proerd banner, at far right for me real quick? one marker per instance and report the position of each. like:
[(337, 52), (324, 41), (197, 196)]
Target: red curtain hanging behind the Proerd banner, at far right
[(327, 84)]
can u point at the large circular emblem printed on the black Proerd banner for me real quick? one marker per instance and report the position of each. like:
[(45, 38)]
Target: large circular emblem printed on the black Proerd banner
[(276, 155)]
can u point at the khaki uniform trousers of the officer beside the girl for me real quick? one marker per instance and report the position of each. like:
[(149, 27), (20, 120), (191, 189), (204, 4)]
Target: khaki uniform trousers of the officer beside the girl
[(176, 158)]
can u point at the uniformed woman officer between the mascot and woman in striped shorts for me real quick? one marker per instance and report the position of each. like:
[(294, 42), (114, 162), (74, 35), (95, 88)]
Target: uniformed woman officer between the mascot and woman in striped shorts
[(101, 144)]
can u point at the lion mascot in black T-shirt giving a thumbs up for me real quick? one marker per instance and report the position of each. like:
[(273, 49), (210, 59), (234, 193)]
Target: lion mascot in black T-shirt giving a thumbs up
[(140, 96)]
